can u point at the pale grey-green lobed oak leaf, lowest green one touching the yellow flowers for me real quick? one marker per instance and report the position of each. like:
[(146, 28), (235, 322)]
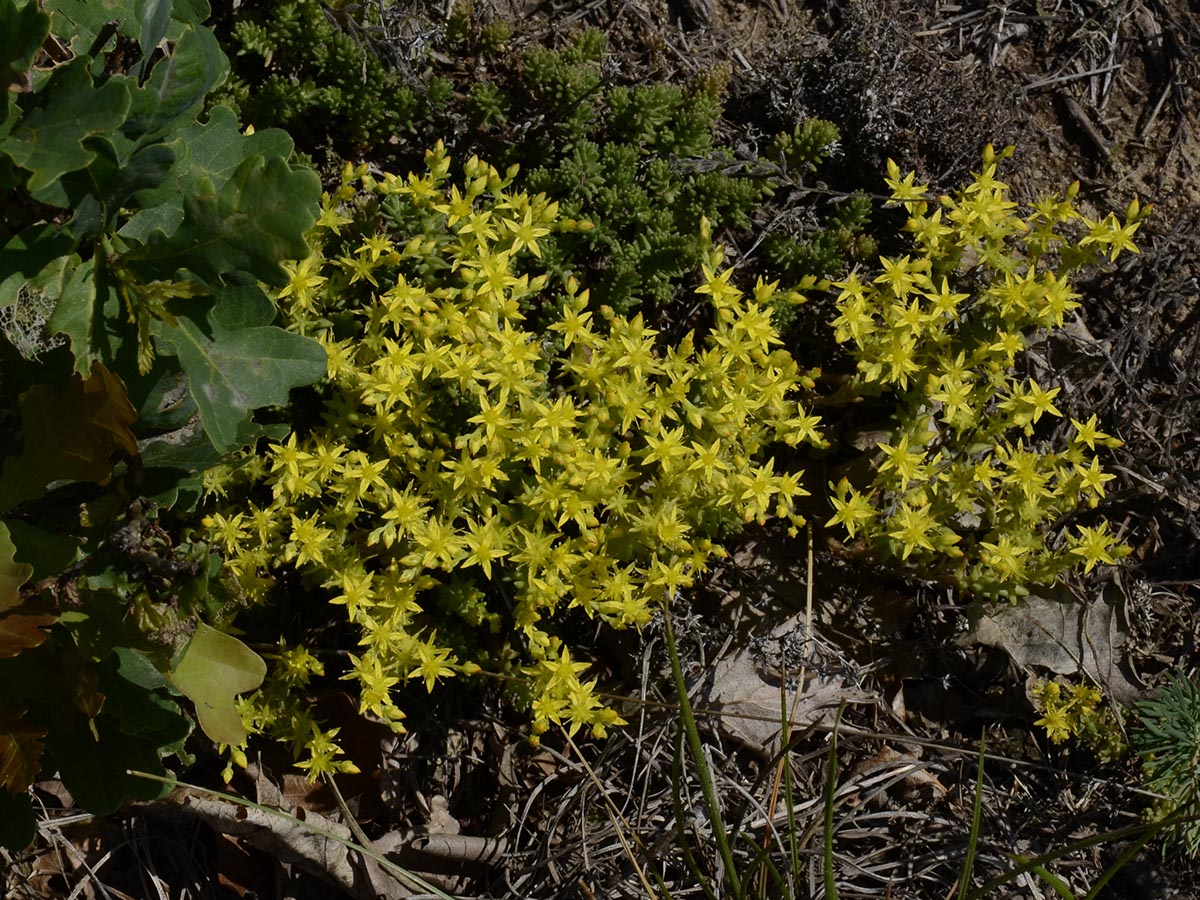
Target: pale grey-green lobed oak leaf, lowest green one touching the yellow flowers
[(238, 362)]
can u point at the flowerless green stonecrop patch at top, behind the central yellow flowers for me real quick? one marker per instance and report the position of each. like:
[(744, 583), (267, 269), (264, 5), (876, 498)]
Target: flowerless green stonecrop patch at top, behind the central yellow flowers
[(641, 163)]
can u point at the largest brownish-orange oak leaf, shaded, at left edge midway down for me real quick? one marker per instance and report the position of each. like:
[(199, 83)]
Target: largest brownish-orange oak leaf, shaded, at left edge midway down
[(70, 435)]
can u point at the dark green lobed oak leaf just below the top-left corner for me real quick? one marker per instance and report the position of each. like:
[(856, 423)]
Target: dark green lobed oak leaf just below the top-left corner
[(51, 139)]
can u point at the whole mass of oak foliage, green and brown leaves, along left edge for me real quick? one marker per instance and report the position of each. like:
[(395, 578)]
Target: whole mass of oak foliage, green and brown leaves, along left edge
[(139, 345)]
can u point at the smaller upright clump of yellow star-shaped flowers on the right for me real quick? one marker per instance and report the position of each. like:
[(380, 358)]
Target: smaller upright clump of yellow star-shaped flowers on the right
[(965, 487)]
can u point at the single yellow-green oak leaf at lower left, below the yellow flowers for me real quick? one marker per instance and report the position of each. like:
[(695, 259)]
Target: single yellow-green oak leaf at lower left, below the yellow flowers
[(214, 670)]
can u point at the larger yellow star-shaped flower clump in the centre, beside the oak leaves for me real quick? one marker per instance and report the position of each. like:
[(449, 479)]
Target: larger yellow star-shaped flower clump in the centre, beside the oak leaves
[(470, 483)]
